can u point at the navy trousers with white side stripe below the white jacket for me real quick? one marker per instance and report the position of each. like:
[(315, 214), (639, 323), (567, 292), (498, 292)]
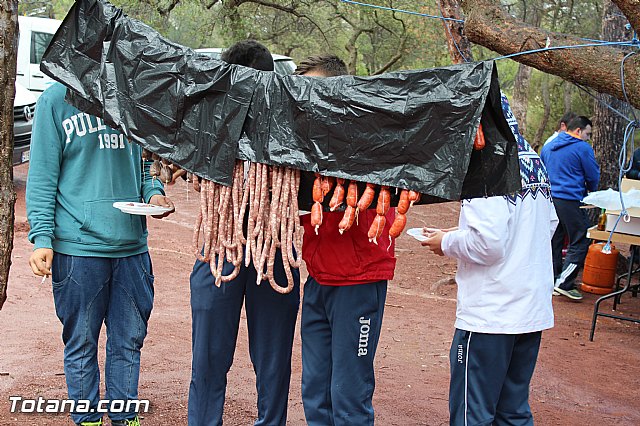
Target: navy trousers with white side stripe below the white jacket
[(490, 376)]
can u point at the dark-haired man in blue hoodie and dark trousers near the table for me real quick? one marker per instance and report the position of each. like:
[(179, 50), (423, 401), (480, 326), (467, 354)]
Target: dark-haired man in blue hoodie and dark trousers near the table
[(573, 172)]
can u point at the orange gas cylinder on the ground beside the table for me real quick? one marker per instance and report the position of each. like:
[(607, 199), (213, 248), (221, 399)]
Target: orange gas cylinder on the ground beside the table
[(599, 274)]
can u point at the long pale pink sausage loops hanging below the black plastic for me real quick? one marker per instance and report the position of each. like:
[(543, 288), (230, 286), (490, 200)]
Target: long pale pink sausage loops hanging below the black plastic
[(270, 194)]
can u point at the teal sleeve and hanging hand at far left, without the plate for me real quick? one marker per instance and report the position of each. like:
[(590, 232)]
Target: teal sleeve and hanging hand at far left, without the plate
[(42, 184)]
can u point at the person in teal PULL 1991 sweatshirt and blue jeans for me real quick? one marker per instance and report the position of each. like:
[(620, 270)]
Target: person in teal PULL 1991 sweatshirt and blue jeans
[(96, 255)]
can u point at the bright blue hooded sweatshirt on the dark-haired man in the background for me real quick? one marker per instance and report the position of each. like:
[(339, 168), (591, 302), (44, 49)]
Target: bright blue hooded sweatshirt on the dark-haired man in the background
[(572, 167)]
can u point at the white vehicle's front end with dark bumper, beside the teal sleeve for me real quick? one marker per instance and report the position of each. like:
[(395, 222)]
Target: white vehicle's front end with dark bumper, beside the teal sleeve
[(24, 106)]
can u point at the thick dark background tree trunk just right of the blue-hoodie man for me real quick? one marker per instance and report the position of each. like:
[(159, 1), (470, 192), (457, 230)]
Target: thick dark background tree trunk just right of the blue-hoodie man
[(608, 132)]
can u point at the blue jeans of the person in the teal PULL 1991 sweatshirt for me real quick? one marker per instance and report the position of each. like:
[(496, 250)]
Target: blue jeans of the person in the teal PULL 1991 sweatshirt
[(88, 291)]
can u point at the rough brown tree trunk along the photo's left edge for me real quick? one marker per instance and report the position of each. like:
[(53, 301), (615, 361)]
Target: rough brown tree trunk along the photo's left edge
[(8, 50)]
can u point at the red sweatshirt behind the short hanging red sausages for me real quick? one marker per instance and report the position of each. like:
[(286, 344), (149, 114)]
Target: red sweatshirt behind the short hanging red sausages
[(348, 259)]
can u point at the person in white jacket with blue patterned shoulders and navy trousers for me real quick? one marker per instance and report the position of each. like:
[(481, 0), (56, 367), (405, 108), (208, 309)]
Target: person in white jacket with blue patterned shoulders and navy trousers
[(505, 281)]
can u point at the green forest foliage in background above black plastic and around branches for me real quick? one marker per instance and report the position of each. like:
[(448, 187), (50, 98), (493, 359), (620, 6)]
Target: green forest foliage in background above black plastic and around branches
[(367, 38)]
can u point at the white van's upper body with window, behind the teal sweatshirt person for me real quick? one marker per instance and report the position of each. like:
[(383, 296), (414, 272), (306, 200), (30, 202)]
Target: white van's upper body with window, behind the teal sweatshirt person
[(35, 36)]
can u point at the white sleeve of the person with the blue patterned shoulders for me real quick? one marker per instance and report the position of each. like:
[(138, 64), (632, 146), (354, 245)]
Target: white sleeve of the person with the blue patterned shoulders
[(484, 228)]
